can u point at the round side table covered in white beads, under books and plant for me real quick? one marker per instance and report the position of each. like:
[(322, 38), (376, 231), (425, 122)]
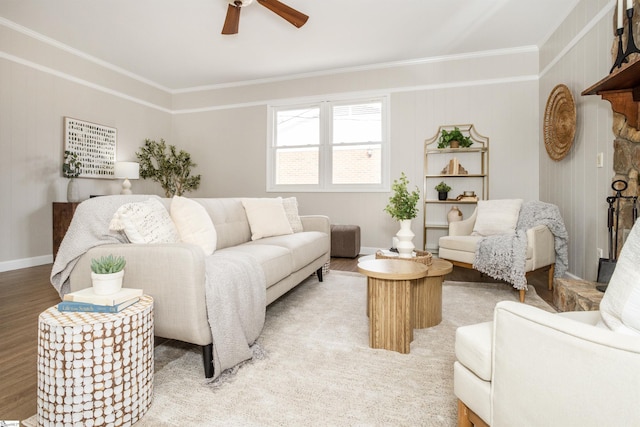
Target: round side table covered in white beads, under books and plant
[(95, 368)]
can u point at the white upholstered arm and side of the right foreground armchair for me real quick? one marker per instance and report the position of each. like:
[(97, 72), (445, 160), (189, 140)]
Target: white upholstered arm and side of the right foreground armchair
[(578, 373)]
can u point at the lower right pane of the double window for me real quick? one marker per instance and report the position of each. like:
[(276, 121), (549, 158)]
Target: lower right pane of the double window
[(357, 164)]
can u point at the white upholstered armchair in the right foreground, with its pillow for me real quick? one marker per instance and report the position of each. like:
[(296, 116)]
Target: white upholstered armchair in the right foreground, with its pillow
[(530, 367)]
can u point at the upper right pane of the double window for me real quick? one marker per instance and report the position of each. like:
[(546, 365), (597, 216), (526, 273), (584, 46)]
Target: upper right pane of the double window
[(357, 123)]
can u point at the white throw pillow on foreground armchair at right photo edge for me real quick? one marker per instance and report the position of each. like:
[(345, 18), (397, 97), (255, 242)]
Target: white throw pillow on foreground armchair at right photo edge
[(620, 305)]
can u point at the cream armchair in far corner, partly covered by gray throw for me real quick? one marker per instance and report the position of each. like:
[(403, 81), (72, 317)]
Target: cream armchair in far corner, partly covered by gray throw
[(459, 247)]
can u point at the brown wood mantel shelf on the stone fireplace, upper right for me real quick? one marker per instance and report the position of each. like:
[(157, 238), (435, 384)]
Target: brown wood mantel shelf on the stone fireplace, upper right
[(622, 90)]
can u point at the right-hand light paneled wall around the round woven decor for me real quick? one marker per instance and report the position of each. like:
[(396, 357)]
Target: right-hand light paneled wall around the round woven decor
[(579, 55)]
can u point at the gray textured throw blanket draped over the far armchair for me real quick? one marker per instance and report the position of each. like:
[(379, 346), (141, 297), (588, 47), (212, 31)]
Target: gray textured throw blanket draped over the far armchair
[(503, 256)]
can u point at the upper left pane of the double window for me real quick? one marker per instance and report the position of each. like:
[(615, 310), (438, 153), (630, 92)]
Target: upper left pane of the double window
[(298, 127)]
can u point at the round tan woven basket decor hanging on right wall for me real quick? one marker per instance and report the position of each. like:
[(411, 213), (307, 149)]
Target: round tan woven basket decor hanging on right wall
[(559, 122)]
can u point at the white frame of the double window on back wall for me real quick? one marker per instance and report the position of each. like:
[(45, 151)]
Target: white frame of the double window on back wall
[(325, 151)]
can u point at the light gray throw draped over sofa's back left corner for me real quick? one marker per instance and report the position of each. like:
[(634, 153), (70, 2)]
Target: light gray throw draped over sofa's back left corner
[(89, 228)]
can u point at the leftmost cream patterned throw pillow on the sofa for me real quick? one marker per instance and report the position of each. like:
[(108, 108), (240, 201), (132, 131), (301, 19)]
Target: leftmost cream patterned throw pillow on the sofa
[(145, 222)]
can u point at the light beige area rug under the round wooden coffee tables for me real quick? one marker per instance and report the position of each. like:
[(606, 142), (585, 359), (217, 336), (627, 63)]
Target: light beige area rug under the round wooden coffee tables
[(318, 370)]
